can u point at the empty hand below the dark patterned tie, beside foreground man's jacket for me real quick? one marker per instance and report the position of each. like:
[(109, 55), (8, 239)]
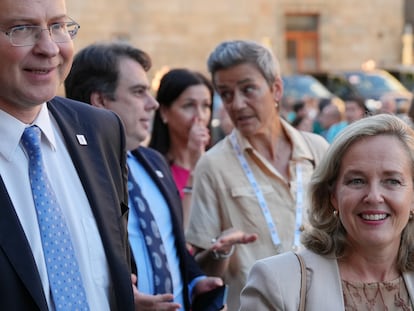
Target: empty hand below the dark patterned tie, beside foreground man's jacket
[(145, 302)]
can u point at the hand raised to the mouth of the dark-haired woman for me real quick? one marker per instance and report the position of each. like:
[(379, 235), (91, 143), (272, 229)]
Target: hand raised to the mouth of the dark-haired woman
[(198, 139)]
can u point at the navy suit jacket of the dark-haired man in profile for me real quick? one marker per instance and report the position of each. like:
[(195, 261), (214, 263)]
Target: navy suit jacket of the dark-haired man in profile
[(153, 161)]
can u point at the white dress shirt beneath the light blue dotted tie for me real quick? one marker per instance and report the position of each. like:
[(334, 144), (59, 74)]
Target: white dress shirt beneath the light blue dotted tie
[(72, 199)]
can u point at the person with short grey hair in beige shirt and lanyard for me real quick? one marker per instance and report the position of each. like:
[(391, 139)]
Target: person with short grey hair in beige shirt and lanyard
[(252, 184)]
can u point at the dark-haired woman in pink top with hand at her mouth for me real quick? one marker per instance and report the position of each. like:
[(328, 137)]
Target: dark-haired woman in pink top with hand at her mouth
[(181, 125)]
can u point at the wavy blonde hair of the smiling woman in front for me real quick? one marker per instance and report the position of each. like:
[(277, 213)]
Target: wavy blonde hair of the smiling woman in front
[(327, 234)]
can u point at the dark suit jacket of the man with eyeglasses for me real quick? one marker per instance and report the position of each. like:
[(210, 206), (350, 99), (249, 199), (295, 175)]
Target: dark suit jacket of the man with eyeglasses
[(101, 166)]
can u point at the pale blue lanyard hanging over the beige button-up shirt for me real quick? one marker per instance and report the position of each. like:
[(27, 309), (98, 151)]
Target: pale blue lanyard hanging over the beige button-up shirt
[(262, 202)]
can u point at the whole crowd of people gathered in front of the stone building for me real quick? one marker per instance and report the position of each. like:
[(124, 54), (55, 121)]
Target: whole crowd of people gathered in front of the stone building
[(281, 211)]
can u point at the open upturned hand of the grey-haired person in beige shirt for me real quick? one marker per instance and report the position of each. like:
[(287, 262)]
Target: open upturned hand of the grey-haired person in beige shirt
[(229, 238)]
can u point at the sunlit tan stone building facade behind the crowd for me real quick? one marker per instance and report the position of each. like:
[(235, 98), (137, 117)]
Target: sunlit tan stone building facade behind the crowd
[(181, 33)]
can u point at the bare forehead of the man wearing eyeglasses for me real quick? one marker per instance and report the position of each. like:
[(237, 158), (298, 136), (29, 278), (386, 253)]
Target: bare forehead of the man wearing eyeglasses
[(36, 10)]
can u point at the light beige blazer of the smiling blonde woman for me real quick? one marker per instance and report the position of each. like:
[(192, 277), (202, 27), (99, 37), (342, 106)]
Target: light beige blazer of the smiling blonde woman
[(274, 284)]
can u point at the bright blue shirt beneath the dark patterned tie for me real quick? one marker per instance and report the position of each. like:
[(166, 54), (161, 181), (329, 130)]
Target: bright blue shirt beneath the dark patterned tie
[(162, 215)]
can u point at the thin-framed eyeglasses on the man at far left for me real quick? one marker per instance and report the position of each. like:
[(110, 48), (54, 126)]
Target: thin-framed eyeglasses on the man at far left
[(29, 35)]
